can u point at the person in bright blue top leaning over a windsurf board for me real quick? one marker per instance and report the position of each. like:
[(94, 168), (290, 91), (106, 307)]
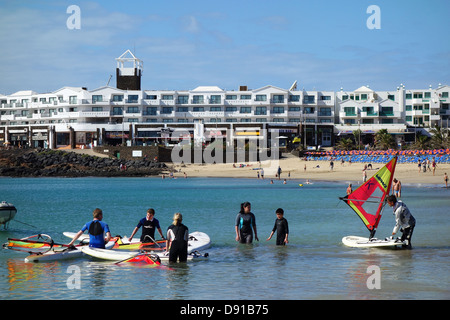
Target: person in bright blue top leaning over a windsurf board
[(96, 229)]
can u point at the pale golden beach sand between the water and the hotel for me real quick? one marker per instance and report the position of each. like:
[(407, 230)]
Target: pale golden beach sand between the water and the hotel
[(407, 173)]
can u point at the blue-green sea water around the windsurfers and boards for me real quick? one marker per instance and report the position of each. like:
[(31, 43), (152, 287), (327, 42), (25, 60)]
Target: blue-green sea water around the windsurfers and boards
[(314, 265)]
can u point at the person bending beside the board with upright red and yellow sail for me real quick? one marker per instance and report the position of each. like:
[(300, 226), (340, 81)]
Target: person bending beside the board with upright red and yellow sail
[(404, 221)]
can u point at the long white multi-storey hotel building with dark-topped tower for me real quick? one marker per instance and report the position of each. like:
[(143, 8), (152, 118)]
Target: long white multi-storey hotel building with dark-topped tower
[(78, 117)]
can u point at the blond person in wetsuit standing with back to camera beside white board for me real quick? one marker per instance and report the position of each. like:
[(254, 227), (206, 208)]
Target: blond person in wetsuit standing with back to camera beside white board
[(177, 239)]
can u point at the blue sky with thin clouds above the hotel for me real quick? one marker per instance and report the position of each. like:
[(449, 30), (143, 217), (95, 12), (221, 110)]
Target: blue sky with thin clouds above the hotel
[(323, 45)]
